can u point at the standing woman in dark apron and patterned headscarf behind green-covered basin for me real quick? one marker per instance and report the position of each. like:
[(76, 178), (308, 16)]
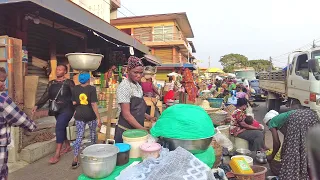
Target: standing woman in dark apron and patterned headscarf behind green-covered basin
[(132, 106)]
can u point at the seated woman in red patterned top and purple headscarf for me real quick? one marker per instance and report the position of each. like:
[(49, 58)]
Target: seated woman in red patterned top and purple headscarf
[(239, 128)]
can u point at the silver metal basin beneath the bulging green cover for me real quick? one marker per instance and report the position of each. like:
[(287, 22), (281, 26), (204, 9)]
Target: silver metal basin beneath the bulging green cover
[(193, 146)]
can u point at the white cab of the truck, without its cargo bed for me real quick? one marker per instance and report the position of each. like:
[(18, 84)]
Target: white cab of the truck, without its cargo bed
[(303, 79)]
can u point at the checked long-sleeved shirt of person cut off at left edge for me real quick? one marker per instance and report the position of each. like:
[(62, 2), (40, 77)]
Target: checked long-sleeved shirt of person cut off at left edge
[(11, 115)]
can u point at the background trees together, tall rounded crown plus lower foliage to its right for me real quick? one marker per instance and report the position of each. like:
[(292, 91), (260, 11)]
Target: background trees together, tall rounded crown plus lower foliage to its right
[(233, 61)]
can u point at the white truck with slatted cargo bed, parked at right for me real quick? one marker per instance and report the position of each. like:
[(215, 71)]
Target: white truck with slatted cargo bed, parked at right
[(297, 85)]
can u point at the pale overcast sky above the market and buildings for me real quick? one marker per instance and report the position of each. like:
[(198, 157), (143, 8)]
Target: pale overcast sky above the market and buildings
[(257, 29)]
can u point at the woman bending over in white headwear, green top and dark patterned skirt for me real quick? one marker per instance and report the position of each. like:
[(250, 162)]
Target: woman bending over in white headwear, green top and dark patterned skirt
[(295, 126)]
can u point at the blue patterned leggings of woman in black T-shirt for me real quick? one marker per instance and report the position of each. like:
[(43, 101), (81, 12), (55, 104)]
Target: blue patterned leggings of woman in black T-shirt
[(81, 125)]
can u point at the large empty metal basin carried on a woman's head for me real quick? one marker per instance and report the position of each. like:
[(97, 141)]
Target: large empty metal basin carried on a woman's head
[(84, 61)]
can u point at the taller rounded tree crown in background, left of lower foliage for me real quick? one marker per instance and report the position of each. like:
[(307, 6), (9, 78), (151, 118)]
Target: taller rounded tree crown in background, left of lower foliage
[(232, 61)]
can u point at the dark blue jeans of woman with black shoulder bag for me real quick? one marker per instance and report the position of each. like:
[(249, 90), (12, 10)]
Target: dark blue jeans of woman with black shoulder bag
[(61, 124)]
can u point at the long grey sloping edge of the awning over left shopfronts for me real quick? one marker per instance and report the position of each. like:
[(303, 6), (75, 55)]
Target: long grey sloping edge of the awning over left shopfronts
[(77, 14)]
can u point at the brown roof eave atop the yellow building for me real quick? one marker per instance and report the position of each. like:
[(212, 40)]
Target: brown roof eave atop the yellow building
[(180, 18)]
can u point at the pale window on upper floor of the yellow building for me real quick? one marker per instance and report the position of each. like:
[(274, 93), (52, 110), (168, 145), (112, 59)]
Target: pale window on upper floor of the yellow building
[(163, 33)]
